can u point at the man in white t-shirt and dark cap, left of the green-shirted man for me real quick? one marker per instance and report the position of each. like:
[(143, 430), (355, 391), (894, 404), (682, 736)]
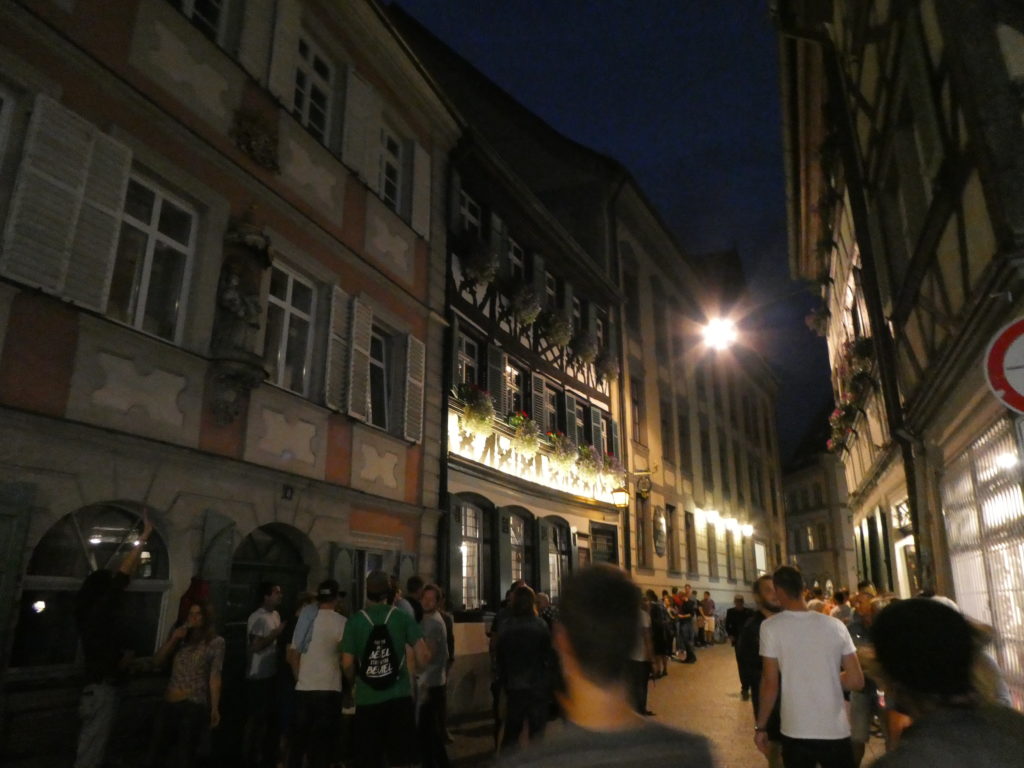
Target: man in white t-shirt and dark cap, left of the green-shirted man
[(318, 687)]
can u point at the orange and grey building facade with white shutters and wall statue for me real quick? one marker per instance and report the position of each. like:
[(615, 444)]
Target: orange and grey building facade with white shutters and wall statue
[(222, 306)]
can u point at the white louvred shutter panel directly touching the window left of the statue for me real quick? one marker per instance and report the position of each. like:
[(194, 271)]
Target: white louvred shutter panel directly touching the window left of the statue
[(95, 247)]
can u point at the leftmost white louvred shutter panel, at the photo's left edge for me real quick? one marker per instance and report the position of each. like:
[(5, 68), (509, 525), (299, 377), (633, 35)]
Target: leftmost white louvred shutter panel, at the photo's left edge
[(48, 196)]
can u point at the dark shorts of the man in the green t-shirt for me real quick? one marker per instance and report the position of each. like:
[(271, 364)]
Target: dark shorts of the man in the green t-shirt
[(386, 731)]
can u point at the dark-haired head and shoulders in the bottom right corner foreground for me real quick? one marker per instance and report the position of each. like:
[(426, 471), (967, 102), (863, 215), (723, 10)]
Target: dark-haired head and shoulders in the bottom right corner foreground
[(927, 651)]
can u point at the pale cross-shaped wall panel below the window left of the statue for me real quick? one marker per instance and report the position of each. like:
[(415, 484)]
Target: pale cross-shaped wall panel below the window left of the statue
[(125, 389)]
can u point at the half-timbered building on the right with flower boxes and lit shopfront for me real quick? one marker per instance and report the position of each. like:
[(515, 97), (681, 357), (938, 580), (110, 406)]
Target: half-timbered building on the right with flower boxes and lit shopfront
[(904, 133)]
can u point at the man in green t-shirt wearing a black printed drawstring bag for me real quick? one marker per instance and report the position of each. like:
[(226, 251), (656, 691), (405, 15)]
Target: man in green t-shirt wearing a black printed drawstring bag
[(385, 716)]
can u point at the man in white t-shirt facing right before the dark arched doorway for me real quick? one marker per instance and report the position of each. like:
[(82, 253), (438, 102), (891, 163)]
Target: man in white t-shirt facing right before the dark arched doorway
[(260, 745)]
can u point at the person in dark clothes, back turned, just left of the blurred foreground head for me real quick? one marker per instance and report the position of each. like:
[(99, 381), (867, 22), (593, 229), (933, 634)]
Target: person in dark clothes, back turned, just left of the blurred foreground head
[(525, 656)]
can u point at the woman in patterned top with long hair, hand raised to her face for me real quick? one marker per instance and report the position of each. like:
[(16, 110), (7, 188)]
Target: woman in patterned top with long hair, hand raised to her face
[(192, 703)]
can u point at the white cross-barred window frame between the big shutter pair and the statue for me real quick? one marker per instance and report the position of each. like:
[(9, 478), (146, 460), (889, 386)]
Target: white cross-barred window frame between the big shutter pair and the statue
[(153, 235)]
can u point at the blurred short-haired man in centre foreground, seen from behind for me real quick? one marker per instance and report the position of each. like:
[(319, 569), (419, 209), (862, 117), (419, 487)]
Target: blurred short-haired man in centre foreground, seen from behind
[(596, 632)]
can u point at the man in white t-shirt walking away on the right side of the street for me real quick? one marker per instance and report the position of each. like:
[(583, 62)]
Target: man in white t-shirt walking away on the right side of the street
[(807, 651)]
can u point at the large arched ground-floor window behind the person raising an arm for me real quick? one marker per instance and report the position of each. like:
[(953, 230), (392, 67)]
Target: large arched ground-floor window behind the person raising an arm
[(89, 540)]
